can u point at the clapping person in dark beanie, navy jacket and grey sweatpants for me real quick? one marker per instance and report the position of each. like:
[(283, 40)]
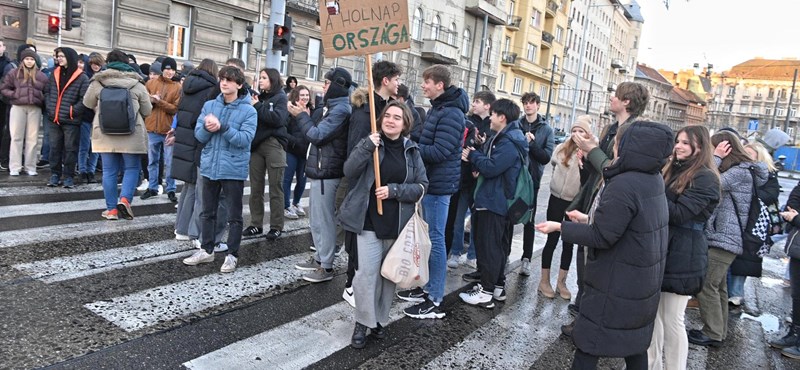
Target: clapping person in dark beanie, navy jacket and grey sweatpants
[(325, 168)]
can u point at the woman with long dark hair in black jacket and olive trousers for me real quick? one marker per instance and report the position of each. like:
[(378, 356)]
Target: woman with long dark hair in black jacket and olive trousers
[(268, 156)]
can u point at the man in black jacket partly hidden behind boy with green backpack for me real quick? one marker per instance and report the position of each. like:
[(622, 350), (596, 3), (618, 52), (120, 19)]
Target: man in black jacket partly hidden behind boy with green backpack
[(476, 132)]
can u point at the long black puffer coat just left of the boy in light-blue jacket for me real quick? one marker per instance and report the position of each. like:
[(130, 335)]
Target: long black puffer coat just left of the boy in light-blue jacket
[(198, 88)]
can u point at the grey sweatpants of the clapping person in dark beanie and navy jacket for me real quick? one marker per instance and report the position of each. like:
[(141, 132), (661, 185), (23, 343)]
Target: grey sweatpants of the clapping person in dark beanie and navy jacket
[(322, 214)]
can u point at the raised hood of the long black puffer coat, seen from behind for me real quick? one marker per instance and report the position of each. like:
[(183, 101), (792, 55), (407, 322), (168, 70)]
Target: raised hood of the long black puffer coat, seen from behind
[(647, 152)]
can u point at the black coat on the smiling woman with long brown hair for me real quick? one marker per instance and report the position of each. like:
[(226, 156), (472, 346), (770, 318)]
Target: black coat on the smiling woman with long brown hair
[(687, 255)]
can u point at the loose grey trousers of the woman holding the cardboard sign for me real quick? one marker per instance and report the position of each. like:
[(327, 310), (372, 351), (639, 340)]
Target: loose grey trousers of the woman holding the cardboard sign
[(373, 293)]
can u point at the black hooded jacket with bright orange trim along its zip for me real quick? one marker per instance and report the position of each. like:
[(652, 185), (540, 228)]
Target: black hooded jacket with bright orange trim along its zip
[(65, 91)]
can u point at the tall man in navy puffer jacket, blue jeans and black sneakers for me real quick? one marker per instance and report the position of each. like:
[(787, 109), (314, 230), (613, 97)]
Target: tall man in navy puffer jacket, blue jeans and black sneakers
[(442, 157)]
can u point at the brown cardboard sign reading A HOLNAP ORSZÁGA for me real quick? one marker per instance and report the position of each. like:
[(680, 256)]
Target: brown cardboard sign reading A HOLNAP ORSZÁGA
[(359, 27)]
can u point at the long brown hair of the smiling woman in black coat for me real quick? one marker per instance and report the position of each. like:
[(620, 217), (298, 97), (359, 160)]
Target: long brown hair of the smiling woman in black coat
[(702, 157)]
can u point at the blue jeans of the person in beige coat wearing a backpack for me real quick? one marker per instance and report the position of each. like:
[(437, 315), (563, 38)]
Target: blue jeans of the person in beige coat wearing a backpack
[(113, 163)]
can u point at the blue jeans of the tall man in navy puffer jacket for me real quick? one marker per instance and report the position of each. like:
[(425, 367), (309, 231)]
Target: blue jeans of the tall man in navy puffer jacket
[(434, 212)]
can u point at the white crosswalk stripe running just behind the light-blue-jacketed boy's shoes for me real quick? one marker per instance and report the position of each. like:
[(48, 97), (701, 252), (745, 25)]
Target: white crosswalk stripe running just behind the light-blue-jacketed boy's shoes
[(87, 264)]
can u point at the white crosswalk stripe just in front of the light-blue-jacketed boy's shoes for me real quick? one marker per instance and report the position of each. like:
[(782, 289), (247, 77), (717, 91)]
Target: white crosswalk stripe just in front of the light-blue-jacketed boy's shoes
[(168, 302)]
